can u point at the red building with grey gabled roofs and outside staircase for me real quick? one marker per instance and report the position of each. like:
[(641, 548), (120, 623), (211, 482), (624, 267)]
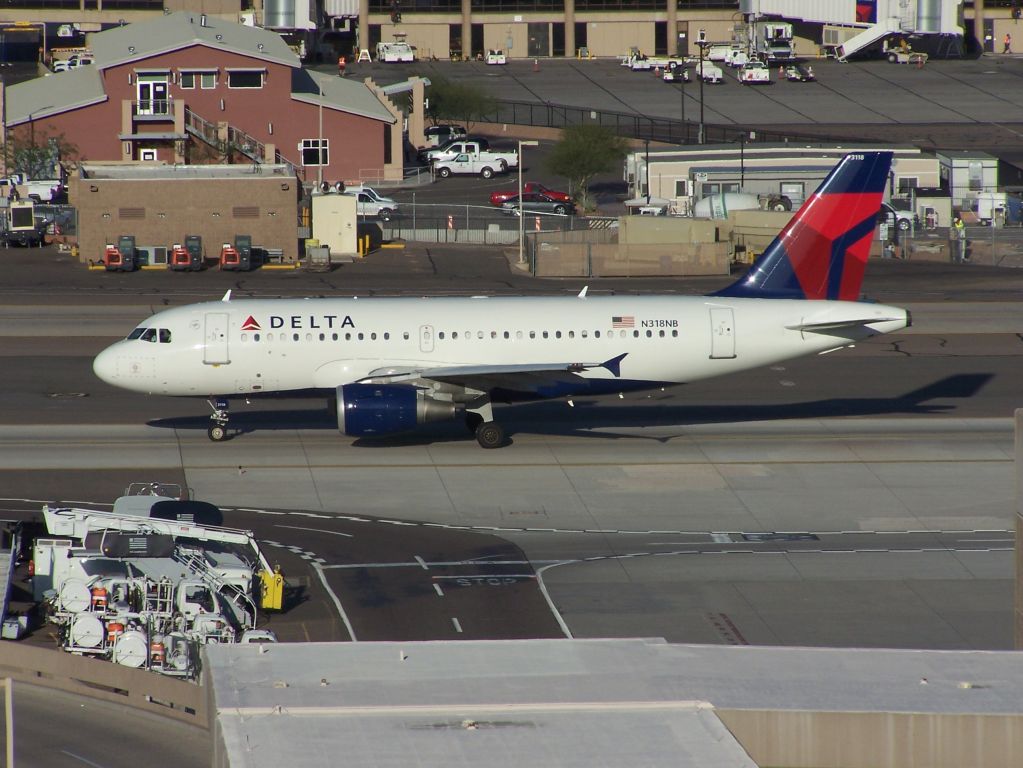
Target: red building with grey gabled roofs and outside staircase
[(186, 88)]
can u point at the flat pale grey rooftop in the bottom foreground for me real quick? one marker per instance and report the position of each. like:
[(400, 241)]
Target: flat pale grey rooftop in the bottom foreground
[(586, 703)]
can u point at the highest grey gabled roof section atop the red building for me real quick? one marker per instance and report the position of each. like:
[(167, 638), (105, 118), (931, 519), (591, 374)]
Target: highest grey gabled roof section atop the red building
[(175, 31)]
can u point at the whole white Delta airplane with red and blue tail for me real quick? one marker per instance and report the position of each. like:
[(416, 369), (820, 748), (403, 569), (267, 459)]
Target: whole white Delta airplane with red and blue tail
[(395, 364)]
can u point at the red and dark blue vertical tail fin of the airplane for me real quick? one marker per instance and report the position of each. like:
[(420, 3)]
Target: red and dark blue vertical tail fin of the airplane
[(823, 251)]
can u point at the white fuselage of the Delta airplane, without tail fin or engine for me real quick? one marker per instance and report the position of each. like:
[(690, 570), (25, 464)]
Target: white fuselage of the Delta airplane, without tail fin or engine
[(250, 346)]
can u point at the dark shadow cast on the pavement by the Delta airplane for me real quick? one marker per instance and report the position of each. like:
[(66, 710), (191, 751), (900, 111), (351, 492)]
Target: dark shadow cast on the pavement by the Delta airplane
[(554, 418)]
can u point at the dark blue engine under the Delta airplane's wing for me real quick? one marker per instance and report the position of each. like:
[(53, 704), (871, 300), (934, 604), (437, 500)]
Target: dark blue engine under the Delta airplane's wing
[(384, 410)]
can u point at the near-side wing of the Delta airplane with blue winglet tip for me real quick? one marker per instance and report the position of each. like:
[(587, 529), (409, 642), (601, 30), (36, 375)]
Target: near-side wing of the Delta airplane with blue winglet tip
[(528, 378)]
